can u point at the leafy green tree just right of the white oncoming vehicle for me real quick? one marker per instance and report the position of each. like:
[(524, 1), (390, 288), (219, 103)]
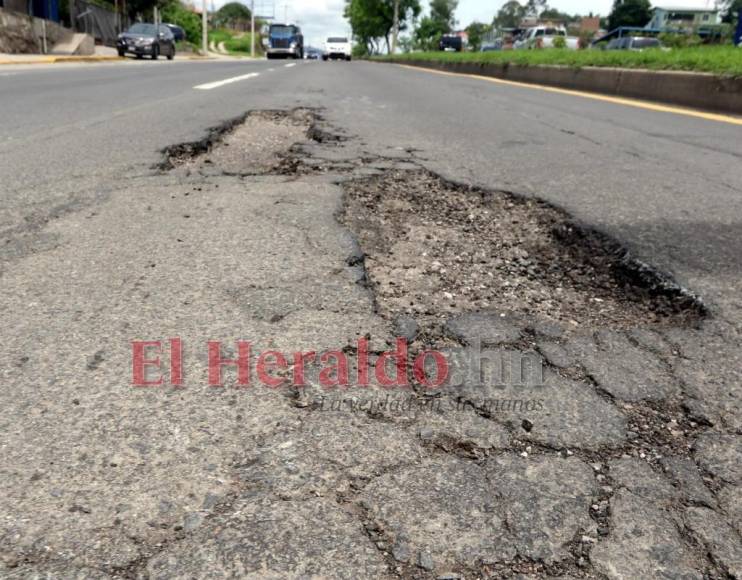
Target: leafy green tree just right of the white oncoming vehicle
[(372, 20)]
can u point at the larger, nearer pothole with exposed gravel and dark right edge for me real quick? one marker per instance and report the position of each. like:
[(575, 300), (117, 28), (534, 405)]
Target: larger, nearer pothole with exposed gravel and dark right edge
[(434, 249)]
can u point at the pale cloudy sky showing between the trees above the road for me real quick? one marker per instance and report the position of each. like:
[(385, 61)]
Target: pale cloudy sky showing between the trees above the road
[(322, 18)]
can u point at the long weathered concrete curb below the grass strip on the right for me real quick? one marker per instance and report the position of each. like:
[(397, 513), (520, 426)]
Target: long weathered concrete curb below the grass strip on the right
[(688, 89)]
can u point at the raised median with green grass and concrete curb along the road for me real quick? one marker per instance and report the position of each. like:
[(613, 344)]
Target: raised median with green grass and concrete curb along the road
[(705, 78)]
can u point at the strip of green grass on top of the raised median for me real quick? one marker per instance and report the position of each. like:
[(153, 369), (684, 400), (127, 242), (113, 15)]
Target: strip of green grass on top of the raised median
[(723, 60)]
